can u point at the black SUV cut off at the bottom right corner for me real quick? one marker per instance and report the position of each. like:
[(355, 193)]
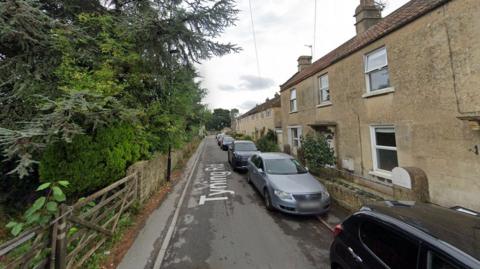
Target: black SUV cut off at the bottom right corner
[(407, 235)]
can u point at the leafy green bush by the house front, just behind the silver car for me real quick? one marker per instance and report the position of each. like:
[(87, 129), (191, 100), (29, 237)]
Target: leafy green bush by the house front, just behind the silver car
[(316, 151)]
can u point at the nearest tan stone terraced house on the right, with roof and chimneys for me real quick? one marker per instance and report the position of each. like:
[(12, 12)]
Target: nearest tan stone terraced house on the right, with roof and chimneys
[(403, 92)]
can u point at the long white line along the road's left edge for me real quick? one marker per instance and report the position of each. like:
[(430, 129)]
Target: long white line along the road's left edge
[(171, 228)]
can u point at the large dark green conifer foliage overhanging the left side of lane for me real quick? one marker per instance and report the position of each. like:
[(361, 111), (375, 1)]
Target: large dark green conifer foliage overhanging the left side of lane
[(68, 68)]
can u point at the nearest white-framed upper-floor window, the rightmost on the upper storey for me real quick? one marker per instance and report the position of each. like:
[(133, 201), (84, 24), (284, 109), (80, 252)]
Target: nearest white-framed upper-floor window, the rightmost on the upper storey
[(376, 70)]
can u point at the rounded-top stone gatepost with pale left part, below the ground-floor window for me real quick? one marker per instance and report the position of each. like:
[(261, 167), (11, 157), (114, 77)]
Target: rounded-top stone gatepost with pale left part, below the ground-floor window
[(410, 183)]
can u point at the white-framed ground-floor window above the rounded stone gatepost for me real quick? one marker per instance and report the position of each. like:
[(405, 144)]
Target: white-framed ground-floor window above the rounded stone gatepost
[(384, 148)]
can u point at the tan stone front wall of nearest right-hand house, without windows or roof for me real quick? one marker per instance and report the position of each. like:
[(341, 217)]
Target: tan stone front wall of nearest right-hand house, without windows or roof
[(434, 68)]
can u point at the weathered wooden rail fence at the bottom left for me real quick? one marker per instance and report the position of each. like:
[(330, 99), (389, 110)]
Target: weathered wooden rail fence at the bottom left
[(78, 231)]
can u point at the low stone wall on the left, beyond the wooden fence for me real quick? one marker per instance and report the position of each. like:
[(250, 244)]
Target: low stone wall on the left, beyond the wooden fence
[(152, 173)]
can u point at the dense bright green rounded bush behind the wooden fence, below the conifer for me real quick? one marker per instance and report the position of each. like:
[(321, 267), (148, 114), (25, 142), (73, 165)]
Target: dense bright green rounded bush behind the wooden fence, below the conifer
[(91, 162)]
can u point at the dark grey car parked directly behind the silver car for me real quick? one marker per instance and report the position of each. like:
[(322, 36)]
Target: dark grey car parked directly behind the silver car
[(239, 152)]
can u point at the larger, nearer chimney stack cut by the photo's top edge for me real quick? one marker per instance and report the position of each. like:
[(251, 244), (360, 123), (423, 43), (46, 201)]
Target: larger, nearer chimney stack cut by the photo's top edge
[(367, 14)]
